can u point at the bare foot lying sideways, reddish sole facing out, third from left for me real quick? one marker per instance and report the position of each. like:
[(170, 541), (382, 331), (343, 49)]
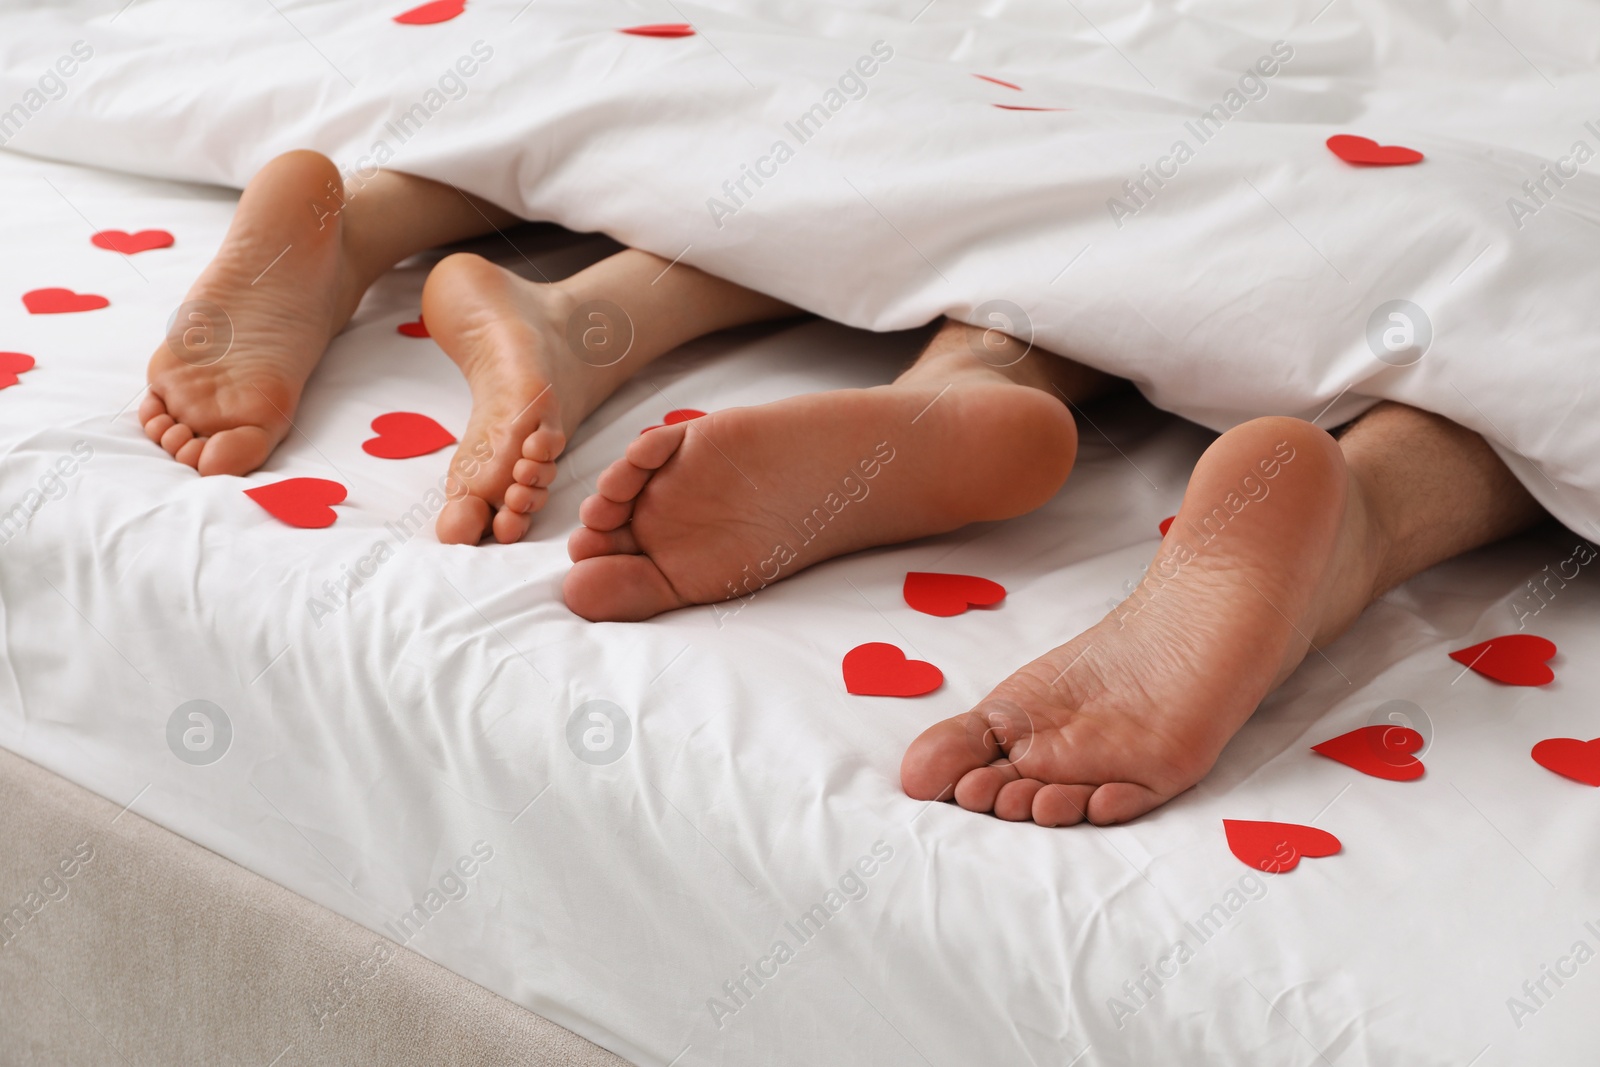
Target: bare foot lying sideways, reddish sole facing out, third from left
[(726, 505)]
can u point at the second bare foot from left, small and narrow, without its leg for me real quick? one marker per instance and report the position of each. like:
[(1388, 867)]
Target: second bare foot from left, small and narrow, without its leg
[(510, 338)]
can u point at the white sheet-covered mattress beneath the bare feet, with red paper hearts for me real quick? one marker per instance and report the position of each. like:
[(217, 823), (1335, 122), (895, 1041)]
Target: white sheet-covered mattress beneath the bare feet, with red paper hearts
[(722, 868)]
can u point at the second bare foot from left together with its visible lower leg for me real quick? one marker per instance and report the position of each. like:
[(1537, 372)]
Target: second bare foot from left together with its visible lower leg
[(542, 358)]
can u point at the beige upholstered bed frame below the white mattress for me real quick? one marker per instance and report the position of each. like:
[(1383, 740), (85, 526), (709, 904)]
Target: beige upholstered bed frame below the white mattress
[(126, 945)]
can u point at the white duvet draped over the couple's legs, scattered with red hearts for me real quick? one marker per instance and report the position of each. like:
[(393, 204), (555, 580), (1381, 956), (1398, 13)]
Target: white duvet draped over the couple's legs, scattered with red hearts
[(1180, 222)]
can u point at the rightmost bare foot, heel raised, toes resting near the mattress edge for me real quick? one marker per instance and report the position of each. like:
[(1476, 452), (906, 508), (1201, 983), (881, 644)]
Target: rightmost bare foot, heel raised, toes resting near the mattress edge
[(1276, 549)]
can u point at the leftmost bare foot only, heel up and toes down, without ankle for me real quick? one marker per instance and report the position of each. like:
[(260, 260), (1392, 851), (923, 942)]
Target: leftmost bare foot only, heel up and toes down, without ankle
[(281, 287)]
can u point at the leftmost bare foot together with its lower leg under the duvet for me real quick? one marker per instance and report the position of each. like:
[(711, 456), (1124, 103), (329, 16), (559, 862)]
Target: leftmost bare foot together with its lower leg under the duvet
[(290, 273)]
